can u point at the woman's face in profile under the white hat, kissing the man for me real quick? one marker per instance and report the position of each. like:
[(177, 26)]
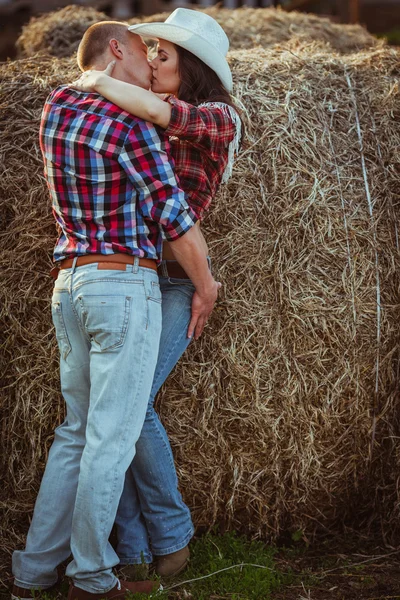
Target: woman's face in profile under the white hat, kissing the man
[(165, 69)]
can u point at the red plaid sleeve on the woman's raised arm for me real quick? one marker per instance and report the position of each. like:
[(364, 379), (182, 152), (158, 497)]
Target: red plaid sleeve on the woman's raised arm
[(209, 126)]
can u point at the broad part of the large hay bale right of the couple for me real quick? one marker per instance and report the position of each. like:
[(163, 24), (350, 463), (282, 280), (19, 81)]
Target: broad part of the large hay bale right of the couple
[(286, 415)]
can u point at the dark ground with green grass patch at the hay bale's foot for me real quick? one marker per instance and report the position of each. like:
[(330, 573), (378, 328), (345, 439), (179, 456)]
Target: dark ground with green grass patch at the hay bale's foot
[(231, 567)]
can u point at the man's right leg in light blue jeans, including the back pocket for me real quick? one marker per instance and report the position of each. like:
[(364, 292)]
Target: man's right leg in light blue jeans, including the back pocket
[(121, 312)]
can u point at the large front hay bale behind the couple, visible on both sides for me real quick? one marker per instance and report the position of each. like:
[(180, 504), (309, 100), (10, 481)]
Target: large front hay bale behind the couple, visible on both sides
[(284, 415)]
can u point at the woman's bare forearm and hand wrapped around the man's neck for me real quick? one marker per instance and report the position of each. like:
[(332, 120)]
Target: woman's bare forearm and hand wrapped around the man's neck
[(132, 98)]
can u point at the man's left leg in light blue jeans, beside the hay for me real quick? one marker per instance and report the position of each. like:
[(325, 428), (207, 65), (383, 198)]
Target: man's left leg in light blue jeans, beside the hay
[(48, 541)]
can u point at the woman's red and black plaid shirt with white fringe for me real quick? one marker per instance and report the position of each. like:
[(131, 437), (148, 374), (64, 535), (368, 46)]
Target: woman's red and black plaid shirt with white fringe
[(199, 138)]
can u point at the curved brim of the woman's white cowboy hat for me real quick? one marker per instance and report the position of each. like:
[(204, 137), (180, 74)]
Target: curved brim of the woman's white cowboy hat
[(192, 42)]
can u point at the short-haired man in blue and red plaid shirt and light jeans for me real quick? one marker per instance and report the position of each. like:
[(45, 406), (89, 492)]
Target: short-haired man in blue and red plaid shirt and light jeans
[(114, 193)]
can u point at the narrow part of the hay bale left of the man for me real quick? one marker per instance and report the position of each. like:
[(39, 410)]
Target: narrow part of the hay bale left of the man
[(30, 411)]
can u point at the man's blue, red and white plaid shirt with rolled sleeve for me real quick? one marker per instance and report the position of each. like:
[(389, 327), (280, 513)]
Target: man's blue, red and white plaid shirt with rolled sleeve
[(111, 180)]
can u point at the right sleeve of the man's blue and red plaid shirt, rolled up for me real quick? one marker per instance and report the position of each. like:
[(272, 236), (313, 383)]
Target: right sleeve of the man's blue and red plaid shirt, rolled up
[(150, 168)]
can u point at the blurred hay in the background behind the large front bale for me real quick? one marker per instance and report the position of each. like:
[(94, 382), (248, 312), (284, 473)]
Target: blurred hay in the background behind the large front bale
[(58, 33)]
